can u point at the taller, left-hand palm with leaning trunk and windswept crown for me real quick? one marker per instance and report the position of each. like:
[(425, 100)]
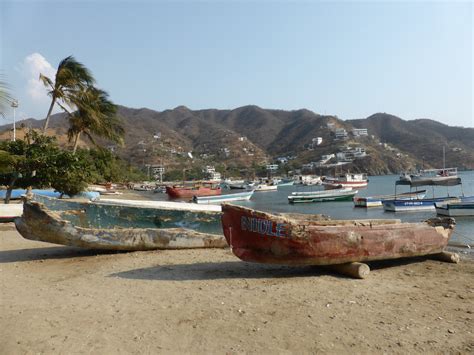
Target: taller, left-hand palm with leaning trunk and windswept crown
[(71, 78)]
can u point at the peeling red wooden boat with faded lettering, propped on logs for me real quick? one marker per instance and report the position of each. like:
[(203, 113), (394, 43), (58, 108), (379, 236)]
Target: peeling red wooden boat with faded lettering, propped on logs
[(297, 239)]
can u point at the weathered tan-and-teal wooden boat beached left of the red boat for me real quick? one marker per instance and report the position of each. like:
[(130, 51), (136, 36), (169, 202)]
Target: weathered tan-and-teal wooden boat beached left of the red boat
[(113, 227)]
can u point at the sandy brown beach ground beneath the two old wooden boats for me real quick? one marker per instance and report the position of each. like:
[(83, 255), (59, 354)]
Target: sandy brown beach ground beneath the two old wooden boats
[(57, 299)]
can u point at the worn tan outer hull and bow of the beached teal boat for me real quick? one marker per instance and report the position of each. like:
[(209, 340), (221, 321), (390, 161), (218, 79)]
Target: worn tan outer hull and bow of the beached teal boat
[(39, 223)]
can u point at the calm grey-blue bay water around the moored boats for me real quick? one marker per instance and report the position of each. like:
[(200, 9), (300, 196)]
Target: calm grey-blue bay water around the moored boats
[(277, 201)]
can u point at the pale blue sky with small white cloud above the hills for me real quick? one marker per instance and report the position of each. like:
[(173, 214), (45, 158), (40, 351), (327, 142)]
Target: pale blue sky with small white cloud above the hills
[(412, 59)]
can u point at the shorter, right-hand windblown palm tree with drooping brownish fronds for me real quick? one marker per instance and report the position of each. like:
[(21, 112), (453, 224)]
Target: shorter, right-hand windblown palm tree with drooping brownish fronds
[(95, 116)]
